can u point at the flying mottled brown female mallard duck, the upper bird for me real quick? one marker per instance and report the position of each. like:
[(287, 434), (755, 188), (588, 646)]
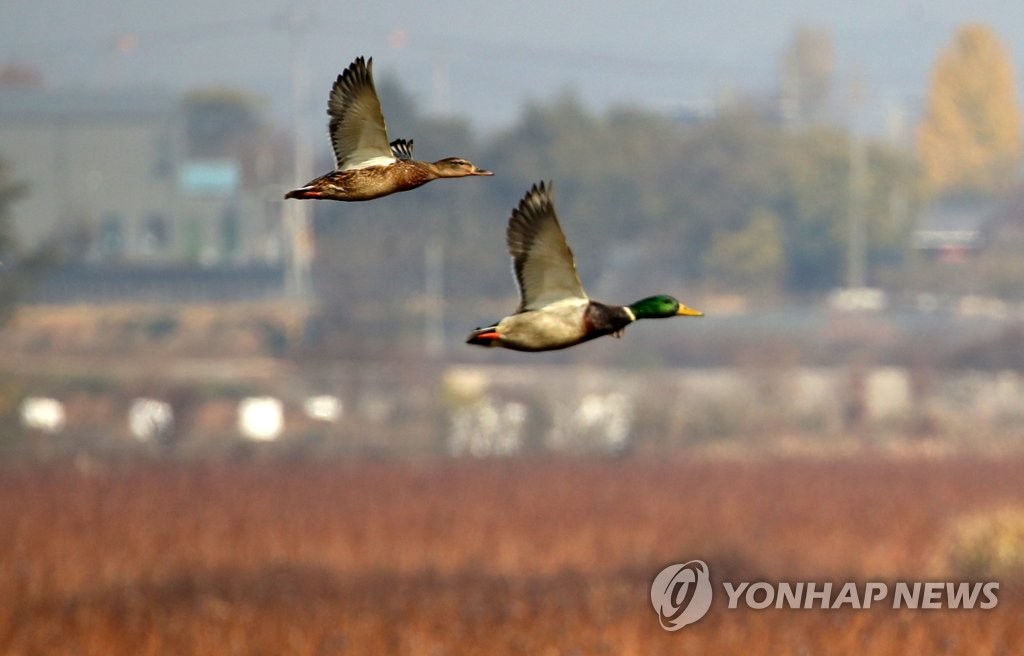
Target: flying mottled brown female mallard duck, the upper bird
[(367, 166)]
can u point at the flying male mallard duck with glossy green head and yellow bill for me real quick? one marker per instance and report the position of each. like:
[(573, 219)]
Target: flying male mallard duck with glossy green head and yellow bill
[(554, 312)]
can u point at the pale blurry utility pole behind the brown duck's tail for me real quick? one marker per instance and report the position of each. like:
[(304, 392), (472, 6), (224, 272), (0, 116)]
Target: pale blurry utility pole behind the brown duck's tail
[(297, 227)]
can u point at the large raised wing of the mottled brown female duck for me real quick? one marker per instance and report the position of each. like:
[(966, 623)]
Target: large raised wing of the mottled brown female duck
[(358, 132)]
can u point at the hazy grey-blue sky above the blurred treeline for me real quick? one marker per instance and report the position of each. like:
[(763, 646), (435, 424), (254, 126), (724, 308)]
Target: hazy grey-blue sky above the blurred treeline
[(482, 60)]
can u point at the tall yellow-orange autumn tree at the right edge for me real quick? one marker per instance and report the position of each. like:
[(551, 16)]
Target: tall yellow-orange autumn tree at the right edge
[(969, 140)]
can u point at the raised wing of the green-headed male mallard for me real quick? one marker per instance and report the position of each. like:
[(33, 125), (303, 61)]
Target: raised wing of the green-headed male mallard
[(541, 258)]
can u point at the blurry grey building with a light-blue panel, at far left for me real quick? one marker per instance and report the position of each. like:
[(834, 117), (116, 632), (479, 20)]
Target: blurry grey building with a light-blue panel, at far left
[(113, 174)]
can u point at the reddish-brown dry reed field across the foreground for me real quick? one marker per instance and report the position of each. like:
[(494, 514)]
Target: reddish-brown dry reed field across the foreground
[(459, 557)]
